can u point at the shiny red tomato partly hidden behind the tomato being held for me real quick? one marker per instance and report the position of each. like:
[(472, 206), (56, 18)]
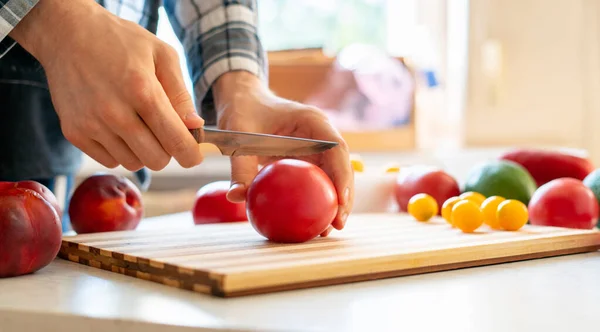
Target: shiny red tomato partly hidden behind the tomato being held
[(212, 206)]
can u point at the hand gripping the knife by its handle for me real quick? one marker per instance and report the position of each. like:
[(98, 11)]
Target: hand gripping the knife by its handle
[(118, 90)]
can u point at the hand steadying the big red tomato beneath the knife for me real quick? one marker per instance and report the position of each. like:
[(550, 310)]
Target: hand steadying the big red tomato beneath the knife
[(245, 104)]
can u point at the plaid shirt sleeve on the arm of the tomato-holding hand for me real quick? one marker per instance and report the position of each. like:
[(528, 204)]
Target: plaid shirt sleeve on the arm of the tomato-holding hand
[(218, 36)]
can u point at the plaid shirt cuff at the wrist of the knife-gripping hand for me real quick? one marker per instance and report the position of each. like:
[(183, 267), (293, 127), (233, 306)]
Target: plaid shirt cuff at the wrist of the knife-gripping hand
[(11, 13)]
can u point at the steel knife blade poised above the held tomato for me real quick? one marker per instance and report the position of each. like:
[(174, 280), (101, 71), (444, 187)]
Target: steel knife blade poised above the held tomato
[(236, 143)]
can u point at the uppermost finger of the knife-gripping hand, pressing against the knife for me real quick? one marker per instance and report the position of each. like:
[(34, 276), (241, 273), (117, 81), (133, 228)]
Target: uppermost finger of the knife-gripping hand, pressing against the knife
[(170, 77)]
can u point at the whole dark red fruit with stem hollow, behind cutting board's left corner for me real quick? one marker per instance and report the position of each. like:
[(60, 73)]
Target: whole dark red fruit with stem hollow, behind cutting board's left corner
[(105, 203)]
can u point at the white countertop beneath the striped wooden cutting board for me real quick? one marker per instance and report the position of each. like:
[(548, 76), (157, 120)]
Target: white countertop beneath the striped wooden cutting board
[(553, 294)]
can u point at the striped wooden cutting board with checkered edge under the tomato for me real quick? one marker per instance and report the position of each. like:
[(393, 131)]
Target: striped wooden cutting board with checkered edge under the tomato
[(232, 259)]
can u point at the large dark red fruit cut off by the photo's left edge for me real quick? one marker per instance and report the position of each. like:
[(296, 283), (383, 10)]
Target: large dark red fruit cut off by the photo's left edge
[(30, 232)]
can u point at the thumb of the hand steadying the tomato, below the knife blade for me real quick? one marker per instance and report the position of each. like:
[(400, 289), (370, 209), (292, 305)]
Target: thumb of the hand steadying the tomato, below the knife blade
[(243, 171)]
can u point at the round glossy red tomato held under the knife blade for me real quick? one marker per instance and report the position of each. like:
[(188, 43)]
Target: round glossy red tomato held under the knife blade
[(291, 201)]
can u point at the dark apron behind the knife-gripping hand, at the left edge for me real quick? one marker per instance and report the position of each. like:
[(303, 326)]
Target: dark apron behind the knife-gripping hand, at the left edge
[(32, 146)]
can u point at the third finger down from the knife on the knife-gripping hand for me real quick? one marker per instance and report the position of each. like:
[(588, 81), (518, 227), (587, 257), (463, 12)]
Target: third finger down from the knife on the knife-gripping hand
[(142, 142)]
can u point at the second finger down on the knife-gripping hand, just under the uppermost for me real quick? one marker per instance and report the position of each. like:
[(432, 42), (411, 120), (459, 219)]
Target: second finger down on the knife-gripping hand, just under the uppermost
[(154, 107)]
